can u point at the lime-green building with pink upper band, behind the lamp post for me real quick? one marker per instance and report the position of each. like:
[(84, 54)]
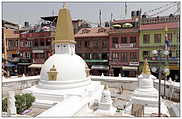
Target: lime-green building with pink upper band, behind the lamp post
[(152, 37)]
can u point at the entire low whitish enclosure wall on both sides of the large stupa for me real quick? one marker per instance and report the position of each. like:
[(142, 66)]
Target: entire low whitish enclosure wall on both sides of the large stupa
[(128, 83)]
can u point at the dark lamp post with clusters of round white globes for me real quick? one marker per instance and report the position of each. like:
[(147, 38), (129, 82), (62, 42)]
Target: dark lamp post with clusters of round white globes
[(161, 71)]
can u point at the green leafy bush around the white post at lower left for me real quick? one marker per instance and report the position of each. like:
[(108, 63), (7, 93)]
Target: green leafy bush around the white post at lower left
[(22, 102)]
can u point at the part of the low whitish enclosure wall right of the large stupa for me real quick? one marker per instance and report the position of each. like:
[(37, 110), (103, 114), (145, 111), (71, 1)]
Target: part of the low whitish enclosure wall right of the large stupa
[(128, 83)]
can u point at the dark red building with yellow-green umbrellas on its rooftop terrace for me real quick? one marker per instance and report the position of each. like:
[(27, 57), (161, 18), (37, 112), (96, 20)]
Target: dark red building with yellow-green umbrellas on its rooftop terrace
[(124, 46)]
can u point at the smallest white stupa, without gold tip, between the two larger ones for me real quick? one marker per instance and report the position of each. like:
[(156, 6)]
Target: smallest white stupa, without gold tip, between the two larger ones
[(105, 107)]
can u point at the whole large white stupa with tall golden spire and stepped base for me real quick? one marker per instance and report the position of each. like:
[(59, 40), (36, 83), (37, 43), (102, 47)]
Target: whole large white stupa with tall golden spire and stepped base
[(64, 79)]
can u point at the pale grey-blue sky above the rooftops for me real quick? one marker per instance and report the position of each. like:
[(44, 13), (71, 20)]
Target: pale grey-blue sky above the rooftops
[(19, 12)]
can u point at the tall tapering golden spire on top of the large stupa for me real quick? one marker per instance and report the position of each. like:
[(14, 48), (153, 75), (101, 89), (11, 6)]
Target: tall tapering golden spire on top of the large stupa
[(64, 27)]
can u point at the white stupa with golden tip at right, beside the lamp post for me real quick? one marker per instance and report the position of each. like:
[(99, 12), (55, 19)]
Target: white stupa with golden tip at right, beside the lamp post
[(144, 101)]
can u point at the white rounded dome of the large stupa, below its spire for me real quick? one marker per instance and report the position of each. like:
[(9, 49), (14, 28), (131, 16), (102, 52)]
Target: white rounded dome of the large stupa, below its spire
[(71, 71)]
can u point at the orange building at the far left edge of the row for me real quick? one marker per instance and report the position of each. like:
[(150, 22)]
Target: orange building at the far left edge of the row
[(10, 38)]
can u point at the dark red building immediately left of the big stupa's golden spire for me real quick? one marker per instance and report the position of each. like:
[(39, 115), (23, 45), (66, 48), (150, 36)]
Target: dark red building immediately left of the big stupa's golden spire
[(41, 49)]
